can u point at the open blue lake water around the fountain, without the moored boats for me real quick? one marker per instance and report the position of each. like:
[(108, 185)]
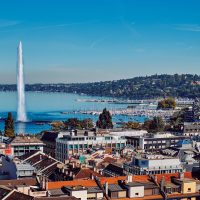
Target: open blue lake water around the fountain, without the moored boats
[(50, 107)]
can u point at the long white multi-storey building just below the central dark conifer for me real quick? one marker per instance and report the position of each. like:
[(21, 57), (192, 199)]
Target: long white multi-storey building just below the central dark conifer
[(78, 143)]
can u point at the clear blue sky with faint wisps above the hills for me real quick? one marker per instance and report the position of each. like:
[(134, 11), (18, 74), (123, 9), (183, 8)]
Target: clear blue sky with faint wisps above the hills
[(93, 40)]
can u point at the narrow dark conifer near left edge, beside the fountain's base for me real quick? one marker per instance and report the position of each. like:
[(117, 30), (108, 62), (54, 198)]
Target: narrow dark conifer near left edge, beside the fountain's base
[(9, 126)]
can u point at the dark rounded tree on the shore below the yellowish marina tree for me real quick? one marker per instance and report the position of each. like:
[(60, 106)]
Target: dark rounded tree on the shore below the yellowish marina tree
[(155, 125)]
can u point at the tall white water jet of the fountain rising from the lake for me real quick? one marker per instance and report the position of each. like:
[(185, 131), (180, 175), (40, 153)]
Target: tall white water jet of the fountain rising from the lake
[(21, 111)]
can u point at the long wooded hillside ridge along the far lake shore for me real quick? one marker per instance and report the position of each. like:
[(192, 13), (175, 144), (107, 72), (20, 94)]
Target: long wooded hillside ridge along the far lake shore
[(155, 86)]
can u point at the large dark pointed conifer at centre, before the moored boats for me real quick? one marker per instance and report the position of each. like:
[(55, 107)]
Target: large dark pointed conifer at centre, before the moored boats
[(105, 120)]
